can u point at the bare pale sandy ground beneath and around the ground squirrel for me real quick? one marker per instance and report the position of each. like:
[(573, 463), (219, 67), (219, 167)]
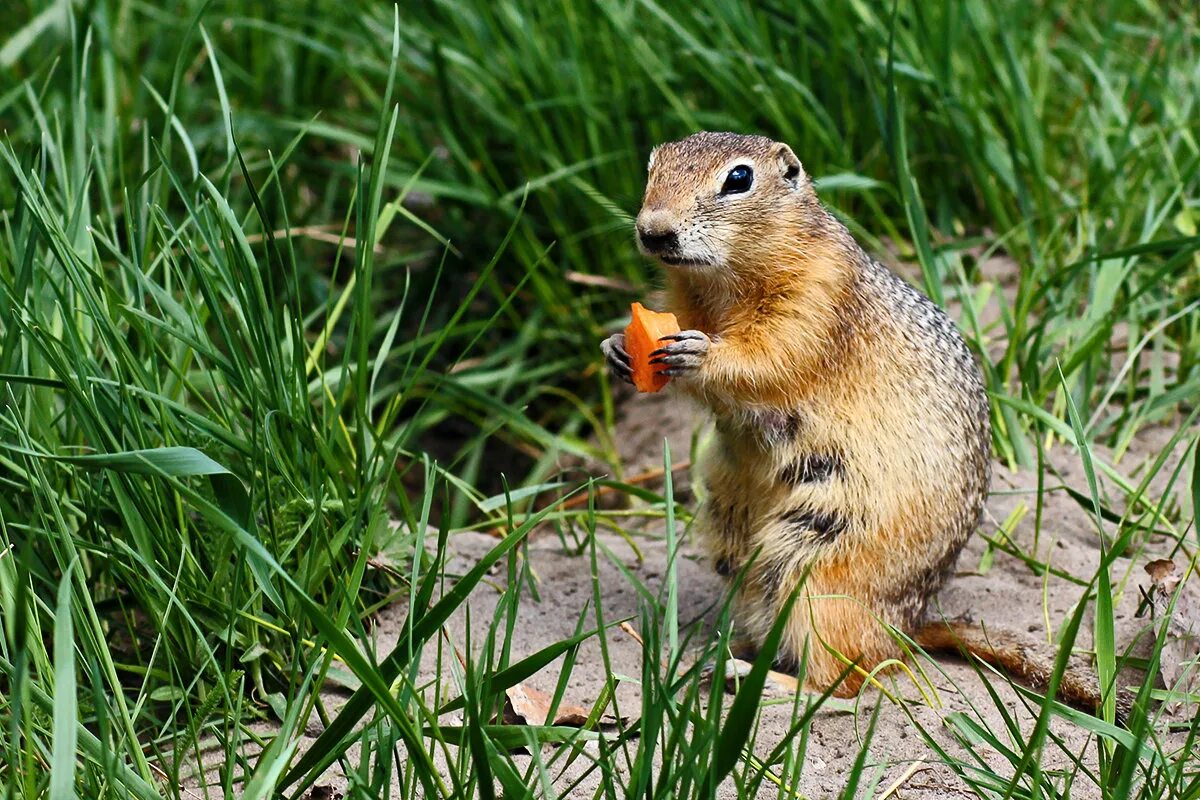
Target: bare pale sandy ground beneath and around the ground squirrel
[(1007, 594)]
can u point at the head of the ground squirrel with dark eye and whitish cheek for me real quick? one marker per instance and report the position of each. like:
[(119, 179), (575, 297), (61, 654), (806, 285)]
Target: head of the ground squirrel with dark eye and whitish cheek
[(725, 204)]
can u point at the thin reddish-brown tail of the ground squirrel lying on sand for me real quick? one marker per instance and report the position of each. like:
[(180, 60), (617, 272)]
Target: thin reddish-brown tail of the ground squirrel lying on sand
[(1005, 652)]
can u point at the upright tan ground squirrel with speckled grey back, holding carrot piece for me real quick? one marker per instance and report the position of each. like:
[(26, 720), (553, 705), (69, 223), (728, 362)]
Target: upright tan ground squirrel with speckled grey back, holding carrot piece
[(854, 437)]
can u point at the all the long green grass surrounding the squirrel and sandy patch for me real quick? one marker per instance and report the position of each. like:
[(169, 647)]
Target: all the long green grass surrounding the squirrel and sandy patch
[(290, 296)]
